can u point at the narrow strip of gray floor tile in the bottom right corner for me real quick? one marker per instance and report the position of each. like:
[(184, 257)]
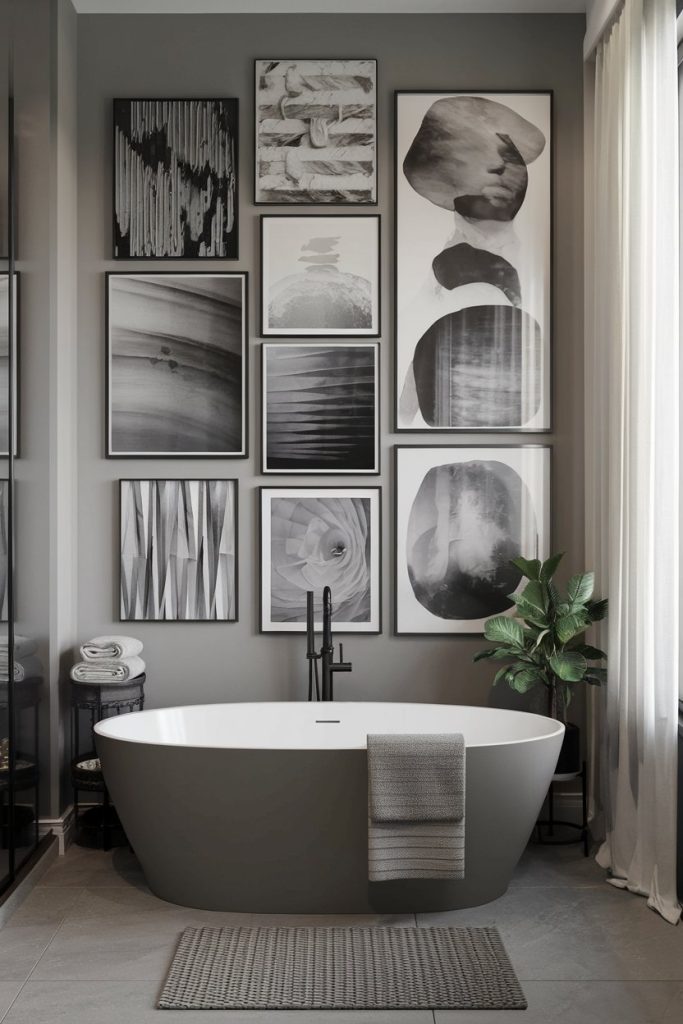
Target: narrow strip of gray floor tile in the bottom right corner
[(580, 1003)]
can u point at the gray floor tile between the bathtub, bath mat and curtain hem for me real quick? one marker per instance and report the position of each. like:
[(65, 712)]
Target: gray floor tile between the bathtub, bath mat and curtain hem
[(573, 934)]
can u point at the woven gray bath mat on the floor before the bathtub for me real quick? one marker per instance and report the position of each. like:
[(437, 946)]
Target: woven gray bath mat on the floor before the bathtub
[(341, 969)]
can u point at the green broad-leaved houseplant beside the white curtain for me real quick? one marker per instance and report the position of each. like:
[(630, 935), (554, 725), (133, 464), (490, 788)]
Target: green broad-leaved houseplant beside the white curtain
[(543, 644)]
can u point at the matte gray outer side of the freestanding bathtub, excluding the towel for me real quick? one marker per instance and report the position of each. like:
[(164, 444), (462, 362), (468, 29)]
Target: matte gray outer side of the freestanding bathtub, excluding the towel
[(286, 831)]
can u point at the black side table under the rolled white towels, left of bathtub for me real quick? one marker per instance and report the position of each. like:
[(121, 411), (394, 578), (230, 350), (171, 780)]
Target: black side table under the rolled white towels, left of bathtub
[(95, 702)]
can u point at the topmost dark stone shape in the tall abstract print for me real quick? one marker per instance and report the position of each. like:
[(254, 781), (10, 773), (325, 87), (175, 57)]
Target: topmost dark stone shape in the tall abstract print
[(471, 155)]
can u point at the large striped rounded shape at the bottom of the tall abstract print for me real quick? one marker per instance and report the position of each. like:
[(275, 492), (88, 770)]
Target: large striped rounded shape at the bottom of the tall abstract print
[(480, 367)]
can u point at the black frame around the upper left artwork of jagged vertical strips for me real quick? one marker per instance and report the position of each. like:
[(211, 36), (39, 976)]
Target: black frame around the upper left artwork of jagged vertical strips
[(233, 109)]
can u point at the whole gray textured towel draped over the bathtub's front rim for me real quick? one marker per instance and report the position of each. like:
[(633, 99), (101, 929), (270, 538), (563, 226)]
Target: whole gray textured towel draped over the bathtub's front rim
[(416, 803)]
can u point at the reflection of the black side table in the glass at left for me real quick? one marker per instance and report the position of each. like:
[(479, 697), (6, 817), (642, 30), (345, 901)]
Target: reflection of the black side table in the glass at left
[(26, 698)]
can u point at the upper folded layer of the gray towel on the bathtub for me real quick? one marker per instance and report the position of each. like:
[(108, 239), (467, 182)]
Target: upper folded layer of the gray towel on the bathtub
[(417, 778)]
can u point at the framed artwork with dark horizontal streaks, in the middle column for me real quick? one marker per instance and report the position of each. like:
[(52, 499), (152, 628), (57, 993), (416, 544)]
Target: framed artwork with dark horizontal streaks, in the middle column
[(321, 408)]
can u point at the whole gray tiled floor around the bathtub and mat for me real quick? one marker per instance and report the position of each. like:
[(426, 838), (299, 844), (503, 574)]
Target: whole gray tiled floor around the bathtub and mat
[(93, 945)]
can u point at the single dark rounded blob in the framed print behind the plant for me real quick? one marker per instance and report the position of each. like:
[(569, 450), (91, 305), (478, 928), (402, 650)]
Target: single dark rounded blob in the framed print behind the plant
[(465, 526)]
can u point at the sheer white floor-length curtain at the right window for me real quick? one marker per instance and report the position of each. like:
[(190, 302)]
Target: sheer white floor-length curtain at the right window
[(632, 402)]
